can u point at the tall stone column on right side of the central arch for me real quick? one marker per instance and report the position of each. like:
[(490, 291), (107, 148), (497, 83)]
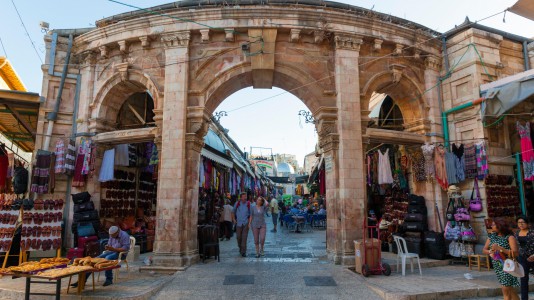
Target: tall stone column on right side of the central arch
[(349, 203)]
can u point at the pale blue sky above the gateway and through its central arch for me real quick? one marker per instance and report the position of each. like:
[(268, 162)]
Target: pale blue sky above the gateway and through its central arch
[(272, 123)]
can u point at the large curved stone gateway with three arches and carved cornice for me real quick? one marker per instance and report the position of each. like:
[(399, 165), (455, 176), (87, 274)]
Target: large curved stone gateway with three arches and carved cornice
[(316, 54)]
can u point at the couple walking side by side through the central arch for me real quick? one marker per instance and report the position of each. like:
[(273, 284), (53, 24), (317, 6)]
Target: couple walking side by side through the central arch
[(246, 215)]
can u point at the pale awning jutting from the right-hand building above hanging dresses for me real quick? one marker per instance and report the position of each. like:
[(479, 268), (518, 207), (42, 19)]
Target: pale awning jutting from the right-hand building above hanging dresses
[(502, 95)]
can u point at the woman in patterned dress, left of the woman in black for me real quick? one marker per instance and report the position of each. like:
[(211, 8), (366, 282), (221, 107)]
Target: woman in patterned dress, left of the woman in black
[(502, 242)]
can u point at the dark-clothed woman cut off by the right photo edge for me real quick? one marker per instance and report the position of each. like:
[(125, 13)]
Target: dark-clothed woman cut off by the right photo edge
[(525, 238)]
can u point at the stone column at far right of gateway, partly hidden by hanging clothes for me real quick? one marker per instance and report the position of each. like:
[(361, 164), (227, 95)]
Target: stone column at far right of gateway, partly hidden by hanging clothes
[(433, 192)]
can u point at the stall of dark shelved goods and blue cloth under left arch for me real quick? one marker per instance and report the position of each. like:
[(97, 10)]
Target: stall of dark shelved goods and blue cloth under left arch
[(128, 182)]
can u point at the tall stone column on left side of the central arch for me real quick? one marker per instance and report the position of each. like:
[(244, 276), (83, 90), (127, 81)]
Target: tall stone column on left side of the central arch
[(173, 238)]
